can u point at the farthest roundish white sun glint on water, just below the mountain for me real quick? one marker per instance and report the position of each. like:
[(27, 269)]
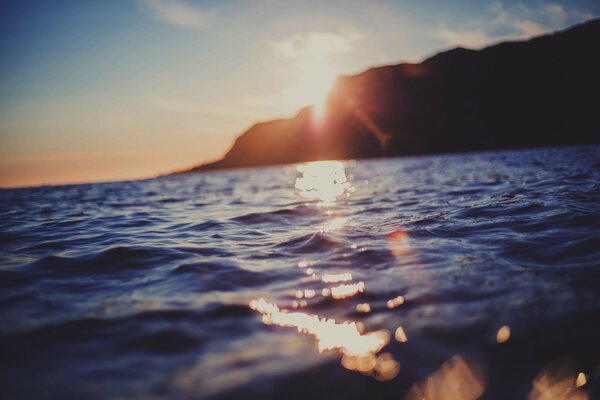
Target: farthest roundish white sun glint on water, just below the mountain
[(323, 180)]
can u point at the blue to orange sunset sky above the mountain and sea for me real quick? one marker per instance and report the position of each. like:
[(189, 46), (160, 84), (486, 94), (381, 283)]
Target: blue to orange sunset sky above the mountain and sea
[(125, 89)]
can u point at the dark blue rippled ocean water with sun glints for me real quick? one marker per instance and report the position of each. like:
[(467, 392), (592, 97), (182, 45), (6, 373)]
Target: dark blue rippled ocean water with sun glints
[(443, 277)]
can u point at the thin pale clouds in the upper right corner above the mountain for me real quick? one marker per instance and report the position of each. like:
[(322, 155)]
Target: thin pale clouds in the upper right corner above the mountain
[(518, 22)]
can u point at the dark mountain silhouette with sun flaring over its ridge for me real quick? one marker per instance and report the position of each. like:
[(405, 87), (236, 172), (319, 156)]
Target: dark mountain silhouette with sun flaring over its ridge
[(541, 92)]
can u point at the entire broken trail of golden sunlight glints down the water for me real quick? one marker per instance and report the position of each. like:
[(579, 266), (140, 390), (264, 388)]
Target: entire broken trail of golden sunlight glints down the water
[(326, 181)]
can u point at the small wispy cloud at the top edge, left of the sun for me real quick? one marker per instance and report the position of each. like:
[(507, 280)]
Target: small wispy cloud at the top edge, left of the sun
[(177, 13)]
